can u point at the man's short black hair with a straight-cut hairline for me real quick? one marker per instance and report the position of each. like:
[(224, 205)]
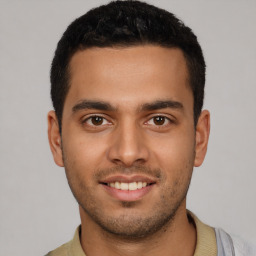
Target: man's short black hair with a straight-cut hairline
[(126, 23)]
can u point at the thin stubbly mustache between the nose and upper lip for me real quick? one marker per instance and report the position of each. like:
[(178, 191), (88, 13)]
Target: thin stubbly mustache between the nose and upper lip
[(153, 172)]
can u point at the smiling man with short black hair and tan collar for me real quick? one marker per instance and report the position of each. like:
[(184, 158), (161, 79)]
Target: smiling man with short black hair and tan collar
[(127, 88)]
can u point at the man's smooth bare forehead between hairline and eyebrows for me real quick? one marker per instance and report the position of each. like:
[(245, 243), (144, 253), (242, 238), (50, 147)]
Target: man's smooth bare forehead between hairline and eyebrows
[(131, 75)]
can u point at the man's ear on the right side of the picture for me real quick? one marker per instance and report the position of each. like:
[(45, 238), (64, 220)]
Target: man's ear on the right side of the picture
[(202, 137)]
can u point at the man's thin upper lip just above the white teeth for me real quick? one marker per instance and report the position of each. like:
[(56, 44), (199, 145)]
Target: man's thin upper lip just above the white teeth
[(128, 179)]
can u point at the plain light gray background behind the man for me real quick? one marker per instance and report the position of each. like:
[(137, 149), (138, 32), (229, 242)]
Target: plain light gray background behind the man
[(38, 212)]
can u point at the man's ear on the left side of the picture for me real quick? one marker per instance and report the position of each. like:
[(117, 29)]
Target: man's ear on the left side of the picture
[(55, 138)]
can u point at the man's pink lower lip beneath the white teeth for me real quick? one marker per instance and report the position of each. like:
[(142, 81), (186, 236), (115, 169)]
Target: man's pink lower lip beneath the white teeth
[(128, 195)]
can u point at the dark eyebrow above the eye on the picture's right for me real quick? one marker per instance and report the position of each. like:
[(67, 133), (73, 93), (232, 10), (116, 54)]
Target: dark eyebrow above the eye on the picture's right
[(159, 104)]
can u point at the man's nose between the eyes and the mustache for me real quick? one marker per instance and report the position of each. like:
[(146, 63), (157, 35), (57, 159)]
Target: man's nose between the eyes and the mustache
[(128, 146)]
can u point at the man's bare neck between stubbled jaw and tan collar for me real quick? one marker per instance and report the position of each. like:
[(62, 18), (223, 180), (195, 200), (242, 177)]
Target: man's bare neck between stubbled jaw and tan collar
[(178, 237)]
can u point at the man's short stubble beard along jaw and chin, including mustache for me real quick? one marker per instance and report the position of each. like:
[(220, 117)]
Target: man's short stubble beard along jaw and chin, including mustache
[(128, 225)]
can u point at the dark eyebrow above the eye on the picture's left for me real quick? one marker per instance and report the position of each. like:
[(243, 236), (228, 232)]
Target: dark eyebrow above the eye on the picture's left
[(88, 104)]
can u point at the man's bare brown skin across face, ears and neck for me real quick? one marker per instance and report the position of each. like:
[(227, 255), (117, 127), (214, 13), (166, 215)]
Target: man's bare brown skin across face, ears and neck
[(128, 140)]
